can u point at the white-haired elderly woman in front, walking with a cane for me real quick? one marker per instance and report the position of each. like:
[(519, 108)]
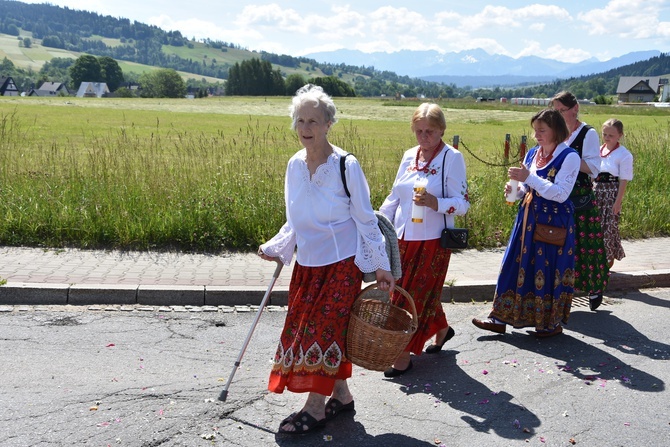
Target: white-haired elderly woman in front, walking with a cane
[(337, 238)]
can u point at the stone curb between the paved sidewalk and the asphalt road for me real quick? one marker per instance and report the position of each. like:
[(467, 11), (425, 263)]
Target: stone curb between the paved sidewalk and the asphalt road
[(14, 293)]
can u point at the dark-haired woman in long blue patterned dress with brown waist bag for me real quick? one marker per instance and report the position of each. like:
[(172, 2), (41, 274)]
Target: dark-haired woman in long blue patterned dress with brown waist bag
[(536, 282)]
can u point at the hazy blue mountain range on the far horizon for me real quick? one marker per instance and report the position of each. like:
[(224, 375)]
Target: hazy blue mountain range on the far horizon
[(477, 68)]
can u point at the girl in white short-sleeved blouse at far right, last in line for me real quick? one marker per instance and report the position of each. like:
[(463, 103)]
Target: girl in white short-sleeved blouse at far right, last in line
[(616, 170)]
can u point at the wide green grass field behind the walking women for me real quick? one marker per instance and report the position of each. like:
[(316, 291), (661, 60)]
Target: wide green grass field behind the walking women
[(207, 174)]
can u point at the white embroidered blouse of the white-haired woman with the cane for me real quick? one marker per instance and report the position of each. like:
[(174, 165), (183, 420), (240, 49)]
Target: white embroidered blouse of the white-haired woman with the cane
[(323, 223)]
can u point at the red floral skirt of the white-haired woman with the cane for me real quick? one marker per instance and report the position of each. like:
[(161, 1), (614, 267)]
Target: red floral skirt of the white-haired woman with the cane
[(311, 351)]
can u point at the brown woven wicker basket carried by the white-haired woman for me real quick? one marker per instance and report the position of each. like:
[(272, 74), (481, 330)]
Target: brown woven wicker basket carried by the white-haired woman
[(379, 331)]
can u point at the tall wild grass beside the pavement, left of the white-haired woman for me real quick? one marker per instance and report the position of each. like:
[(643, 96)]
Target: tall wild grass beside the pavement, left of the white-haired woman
[(170, 190)]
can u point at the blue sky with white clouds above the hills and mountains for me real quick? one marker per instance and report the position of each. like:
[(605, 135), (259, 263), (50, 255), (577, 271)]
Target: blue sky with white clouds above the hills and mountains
[(568, 30)]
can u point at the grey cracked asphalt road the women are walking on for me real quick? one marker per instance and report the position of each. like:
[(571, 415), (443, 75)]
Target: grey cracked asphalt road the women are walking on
[(73, 376)]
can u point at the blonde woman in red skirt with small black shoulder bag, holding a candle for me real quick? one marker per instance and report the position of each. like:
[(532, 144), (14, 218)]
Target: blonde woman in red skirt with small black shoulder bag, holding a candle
[(441, 170)]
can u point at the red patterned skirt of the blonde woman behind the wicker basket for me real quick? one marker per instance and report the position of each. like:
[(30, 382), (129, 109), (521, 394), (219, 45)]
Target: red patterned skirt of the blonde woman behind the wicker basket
[(424, 269)]
